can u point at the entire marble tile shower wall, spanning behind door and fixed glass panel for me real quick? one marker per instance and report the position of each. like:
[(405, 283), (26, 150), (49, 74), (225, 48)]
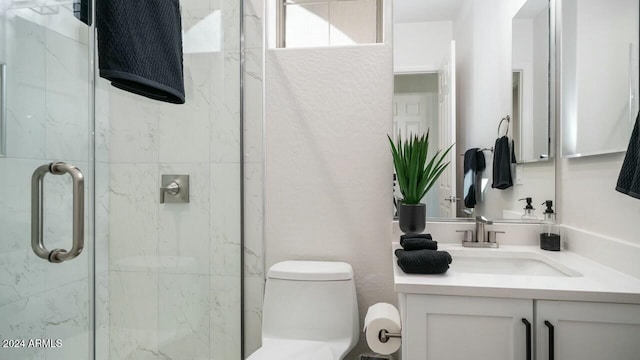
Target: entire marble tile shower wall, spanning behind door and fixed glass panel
[(167, 276)]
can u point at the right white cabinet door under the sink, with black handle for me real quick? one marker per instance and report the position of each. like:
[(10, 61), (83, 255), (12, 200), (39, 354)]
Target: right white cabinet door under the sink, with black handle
[(584, 331)]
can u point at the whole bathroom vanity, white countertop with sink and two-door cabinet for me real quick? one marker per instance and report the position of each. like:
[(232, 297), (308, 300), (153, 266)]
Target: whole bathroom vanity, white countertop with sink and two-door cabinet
[(519, 302)]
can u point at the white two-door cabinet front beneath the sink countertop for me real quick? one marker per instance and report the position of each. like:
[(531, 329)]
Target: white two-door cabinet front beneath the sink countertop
[(439, 327)]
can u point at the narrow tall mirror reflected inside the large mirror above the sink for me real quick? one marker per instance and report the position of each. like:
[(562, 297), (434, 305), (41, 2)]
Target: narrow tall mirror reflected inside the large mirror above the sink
[(530, 43)]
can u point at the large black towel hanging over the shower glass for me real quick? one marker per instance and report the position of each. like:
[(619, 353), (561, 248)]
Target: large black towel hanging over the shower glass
[(140, 47)]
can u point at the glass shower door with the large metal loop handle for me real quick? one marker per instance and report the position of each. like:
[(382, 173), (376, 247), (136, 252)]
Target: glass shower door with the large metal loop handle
[(45, 305)]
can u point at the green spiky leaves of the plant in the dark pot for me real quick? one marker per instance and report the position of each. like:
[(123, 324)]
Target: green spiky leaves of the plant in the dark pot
[(416, 173)]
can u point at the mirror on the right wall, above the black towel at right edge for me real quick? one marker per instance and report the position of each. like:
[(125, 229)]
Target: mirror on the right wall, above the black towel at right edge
[(599, 75)]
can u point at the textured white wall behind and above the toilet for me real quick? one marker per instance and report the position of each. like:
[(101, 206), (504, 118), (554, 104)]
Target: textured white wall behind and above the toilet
[(328, 166)]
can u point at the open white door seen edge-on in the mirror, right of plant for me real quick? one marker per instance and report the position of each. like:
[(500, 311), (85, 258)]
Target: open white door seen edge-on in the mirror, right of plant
[(447, 132)]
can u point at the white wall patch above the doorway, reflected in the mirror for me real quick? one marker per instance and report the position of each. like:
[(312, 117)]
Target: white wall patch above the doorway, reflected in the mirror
[(420, 46)]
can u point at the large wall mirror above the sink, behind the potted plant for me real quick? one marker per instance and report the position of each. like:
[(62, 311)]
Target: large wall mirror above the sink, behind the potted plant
[(440, 85)]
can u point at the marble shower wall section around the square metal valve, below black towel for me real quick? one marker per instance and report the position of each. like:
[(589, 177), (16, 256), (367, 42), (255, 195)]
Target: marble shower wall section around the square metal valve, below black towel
[(174, 269)]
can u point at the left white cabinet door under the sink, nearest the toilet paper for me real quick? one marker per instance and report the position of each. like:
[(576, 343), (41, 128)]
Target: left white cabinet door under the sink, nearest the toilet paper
[(461, 328)]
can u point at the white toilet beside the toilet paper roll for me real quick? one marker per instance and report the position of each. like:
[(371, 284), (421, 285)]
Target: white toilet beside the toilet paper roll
[(310, 312)]
